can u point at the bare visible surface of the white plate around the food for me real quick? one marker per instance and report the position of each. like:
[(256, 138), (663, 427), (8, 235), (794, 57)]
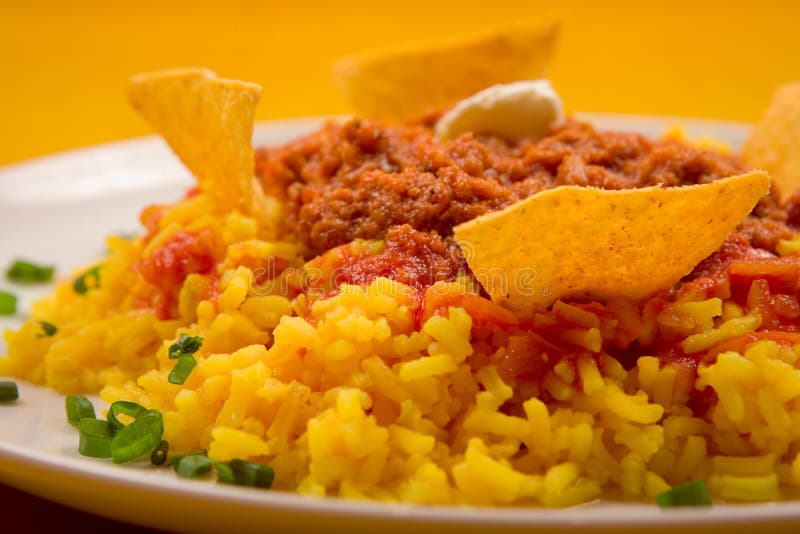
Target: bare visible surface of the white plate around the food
[(58, 209)]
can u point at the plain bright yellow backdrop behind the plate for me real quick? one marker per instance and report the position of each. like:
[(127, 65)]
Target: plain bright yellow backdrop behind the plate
[(64, 63)]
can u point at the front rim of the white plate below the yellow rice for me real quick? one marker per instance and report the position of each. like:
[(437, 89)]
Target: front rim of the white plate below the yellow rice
[(510, 516)]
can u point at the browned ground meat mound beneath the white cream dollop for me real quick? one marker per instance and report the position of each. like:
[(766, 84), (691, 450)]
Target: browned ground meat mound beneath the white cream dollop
[(361, 179)]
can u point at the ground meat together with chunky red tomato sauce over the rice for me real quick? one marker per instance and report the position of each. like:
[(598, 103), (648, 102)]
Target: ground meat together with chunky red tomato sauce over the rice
[(364, 180)]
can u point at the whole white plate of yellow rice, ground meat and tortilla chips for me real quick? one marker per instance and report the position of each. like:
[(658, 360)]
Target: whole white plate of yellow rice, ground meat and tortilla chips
[(495, 315)]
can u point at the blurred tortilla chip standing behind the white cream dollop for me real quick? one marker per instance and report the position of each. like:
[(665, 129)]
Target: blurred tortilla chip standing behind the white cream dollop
[(405, 81)]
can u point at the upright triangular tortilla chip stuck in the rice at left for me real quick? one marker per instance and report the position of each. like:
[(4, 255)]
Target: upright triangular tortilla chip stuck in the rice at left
[(208, 122)]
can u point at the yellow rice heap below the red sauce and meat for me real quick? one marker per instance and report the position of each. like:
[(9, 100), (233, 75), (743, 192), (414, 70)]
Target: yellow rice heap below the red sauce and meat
[(351, 399)]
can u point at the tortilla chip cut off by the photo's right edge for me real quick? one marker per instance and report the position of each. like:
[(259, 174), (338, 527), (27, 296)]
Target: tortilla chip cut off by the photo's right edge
[(774, 143)]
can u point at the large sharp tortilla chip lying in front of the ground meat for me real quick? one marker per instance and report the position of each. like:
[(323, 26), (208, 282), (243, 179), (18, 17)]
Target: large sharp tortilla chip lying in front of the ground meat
[(593, 243)]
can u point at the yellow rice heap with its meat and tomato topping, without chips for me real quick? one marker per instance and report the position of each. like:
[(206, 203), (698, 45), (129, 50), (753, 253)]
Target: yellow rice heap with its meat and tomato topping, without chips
[(347, 343)]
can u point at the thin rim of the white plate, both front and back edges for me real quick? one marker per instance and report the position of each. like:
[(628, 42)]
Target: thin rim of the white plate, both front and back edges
[(646, 514)]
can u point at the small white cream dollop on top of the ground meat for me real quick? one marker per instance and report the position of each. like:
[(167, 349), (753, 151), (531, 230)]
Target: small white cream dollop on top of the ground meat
[(512, 111)]
